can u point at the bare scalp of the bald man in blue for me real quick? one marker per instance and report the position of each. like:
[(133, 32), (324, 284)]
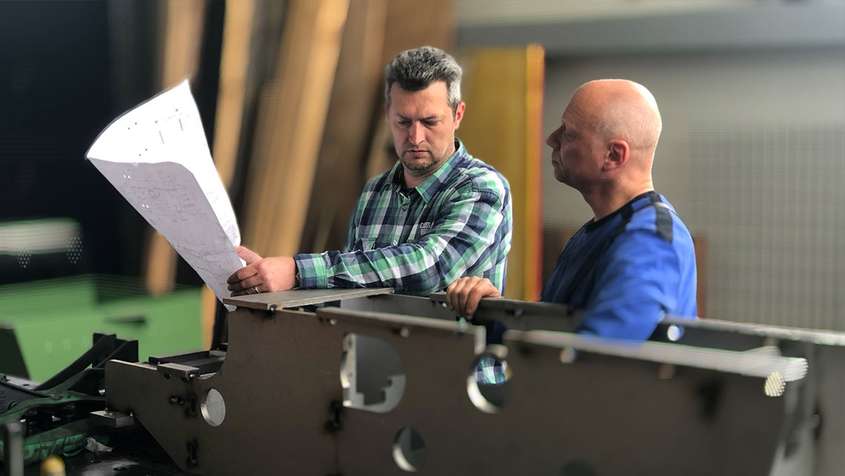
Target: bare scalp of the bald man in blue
[(620, 109)]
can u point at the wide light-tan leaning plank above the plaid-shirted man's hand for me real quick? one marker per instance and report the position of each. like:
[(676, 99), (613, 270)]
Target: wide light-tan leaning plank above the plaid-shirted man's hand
[(290, 125)]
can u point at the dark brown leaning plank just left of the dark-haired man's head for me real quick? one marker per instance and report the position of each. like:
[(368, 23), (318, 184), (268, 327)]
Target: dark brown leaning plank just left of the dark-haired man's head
[(355, 97)]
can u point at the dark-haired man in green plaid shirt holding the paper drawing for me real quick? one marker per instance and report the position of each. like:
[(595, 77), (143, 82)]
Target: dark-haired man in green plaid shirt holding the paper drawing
[(438, 214)]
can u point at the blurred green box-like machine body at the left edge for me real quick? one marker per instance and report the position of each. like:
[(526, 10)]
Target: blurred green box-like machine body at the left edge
[(53, 320)]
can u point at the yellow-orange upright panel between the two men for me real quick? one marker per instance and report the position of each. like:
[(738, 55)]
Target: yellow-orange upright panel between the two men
[(509, 108)]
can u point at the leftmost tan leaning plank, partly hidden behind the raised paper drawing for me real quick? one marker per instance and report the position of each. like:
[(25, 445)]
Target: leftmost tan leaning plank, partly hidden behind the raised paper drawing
[(183, 27)]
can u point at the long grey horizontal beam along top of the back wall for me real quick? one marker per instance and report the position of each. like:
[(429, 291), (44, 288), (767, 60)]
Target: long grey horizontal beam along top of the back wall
[(771, 26)]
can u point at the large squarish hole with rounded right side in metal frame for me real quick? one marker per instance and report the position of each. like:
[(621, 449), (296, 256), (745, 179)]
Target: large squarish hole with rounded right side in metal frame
[(371, 374)]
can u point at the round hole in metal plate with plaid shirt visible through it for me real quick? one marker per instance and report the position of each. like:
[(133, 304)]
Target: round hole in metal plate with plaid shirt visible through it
[(488, 384)]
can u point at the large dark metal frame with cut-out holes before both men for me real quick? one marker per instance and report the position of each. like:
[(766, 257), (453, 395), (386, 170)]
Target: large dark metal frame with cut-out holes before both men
[(294, 395)]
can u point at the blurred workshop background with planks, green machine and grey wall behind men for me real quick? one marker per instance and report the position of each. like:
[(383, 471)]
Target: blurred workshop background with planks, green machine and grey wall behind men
[(752, 94)]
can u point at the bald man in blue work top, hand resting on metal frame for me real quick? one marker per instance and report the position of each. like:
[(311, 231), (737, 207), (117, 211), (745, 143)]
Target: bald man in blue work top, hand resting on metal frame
[(633, 262)]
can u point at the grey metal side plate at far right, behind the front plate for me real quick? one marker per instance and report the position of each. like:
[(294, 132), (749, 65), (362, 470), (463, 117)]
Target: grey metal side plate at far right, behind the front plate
[(814, 443)]
